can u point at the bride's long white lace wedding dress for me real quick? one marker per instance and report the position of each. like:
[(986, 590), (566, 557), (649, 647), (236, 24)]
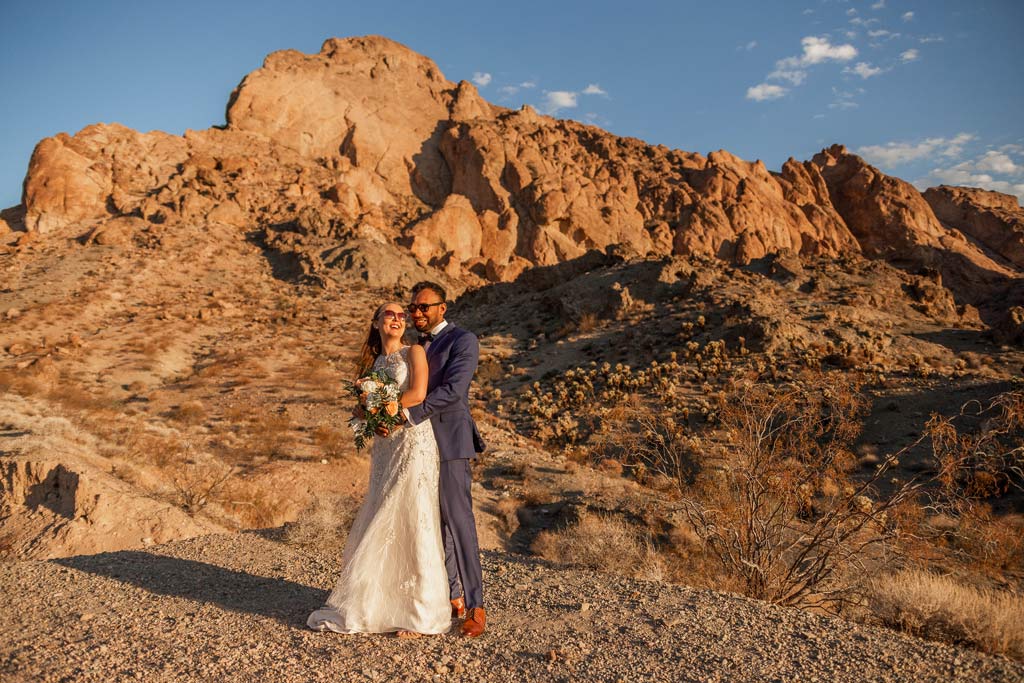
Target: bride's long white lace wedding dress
[(394, 577)]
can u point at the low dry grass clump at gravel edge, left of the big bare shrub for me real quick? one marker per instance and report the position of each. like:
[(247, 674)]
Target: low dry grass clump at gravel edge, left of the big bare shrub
[(605, 543)]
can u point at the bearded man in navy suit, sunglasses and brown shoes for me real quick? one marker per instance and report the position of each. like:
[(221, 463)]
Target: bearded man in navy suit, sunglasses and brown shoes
[(452, 358)]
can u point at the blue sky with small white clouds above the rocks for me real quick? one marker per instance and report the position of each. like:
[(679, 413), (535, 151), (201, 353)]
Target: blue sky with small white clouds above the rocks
[(926, 90)]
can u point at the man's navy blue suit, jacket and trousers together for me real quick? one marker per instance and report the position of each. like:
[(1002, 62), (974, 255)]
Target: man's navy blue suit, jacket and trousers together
[(452, 361)]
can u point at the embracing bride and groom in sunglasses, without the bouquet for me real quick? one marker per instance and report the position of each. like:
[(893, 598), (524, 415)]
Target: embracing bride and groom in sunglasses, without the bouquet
[(412, 561)]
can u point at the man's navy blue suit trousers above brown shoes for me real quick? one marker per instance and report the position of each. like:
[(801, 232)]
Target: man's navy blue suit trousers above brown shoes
[(462, 552)]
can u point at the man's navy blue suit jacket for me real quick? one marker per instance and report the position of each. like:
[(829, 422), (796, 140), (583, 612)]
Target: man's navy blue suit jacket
[(452, 361)]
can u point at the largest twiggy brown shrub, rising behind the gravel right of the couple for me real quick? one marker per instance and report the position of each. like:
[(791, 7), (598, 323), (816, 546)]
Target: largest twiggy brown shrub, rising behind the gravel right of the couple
[(782, 517)]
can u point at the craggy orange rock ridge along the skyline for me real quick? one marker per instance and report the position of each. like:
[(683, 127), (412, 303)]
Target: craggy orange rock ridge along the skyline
[(368, 140)]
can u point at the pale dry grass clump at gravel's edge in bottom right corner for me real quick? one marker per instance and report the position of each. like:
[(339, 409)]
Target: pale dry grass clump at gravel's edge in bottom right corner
[(926, 605)]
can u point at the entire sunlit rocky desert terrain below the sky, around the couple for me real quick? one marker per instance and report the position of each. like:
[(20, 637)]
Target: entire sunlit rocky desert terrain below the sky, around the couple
[(178, 315)]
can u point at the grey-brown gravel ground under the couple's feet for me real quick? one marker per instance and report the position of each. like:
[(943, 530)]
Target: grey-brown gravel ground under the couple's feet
[(233, 608)]
